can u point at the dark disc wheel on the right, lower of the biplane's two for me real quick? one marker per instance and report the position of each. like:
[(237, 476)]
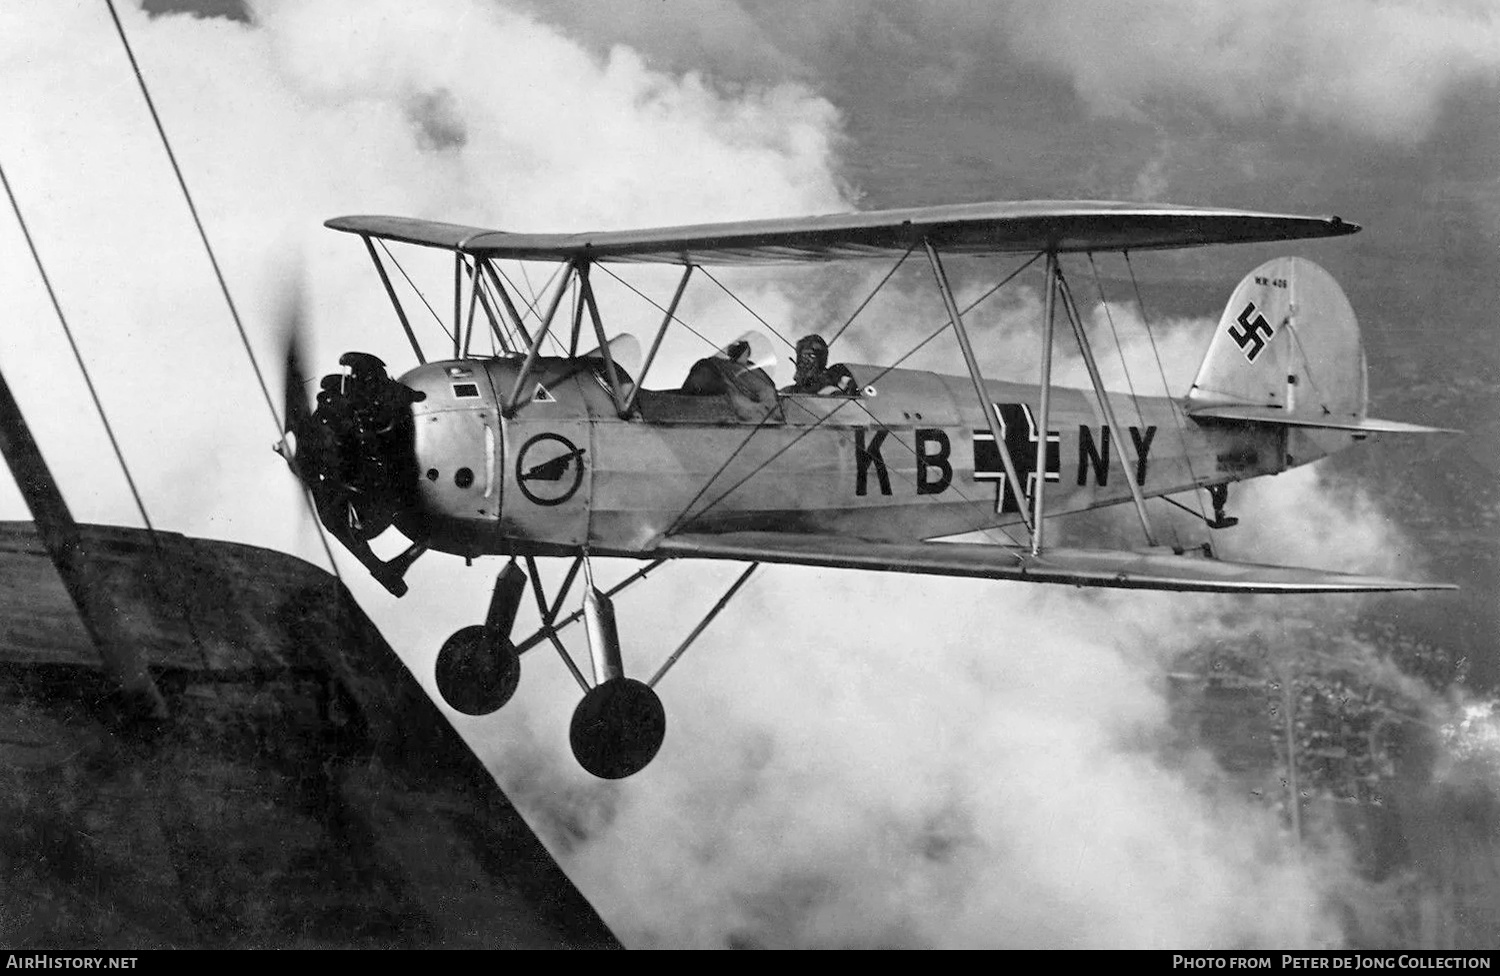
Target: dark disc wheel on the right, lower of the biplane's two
[(617, 729)]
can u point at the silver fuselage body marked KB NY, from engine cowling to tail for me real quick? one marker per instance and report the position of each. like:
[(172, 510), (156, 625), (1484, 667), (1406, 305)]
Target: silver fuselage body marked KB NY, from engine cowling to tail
[(910, 460)]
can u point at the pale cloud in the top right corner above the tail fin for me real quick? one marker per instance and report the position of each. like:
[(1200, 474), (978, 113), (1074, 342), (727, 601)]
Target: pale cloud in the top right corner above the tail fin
[(1367, 67)]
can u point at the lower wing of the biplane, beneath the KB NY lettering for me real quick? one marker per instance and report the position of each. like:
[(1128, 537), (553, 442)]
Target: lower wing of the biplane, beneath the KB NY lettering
[(1081, 567)]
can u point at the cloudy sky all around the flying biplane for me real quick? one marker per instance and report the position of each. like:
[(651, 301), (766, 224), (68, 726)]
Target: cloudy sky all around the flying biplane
[(851, 759)]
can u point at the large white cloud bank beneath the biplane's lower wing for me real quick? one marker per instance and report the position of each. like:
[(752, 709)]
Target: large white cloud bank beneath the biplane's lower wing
[(881, 761)]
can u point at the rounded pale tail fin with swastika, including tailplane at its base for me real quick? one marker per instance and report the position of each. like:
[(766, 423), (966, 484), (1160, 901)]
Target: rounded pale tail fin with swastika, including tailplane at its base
[(1288, 352)]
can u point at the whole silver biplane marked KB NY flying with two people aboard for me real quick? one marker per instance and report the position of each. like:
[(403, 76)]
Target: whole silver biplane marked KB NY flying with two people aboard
[(524, 454)]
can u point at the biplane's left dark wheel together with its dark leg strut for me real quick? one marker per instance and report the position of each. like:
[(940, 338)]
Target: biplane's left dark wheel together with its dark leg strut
[(479, 666)]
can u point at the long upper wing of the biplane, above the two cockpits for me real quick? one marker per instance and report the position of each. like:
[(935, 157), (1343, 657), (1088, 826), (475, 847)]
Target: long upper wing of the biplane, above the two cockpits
[(965, 229)]
